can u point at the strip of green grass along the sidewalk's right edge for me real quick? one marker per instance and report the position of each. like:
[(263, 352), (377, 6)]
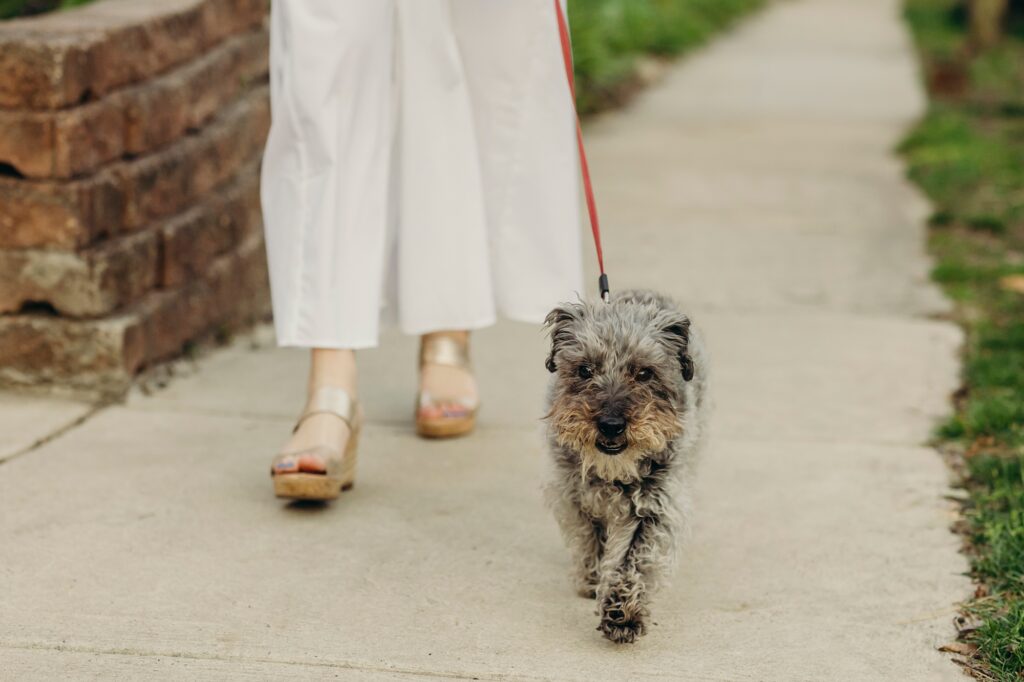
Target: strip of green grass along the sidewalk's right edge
[(968, 156)]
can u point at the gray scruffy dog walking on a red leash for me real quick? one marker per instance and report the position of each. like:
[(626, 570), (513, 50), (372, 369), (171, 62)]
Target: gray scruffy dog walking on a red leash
[(627, 414)]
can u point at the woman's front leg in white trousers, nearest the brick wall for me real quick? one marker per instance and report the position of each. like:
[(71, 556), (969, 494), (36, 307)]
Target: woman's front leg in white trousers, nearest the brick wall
[(325, 195)]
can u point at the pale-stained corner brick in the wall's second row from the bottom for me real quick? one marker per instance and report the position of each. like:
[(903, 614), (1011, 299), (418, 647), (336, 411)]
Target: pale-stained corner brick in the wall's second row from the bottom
[(92, 283)]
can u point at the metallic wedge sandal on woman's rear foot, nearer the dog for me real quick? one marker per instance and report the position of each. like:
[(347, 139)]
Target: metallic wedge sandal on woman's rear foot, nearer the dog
[(445, 418)]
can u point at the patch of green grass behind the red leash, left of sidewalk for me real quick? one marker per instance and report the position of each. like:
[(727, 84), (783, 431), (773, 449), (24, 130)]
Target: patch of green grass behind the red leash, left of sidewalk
[(610, 36)]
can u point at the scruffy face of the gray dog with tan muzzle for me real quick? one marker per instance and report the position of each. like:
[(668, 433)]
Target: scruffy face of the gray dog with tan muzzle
[(621, 369)]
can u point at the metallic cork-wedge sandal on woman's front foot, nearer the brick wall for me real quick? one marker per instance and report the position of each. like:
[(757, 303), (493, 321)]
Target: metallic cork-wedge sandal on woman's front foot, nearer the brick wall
[(320, 473)]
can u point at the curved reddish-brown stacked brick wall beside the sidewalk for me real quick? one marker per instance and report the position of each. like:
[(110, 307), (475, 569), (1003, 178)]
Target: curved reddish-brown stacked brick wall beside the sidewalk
[(131, 138)]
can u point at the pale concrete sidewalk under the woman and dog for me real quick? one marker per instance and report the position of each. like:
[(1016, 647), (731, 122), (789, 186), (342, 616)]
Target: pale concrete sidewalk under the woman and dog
[(757, 185)]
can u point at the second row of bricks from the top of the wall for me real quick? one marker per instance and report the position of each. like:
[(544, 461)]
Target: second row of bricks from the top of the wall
[(134, 121)]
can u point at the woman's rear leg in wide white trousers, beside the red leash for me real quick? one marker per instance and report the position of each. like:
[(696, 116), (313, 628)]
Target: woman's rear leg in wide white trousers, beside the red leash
[(497, 101)]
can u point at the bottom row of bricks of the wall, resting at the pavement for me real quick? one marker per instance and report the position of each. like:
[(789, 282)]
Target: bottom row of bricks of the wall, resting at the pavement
[(101, 357)]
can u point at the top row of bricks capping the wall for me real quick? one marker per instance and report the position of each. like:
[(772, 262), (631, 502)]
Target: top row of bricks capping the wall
[(62, 59)]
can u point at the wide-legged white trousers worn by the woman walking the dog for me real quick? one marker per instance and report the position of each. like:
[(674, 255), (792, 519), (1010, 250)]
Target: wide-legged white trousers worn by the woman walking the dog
[(421, 163)]
